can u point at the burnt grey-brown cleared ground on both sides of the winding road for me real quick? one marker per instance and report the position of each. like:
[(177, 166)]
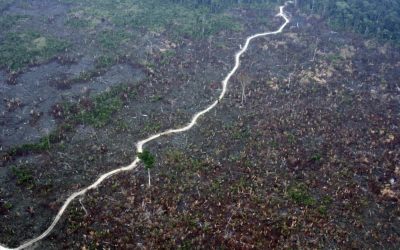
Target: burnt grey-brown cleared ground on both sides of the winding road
[(302, 153)]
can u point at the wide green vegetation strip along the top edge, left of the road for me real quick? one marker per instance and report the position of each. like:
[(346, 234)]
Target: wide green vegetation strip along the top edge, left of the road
[(181, 19)]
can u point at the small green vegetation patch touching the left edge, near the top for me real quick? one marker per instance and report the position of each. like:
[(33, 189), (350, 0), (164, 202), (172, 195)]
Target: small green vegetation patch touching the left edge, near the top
[(18, 50)]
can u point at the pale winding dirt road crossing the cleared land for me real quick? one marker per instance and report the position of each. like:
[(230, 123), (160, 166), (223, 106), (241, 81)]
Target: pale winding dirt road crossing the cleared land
[(140, 144)]
